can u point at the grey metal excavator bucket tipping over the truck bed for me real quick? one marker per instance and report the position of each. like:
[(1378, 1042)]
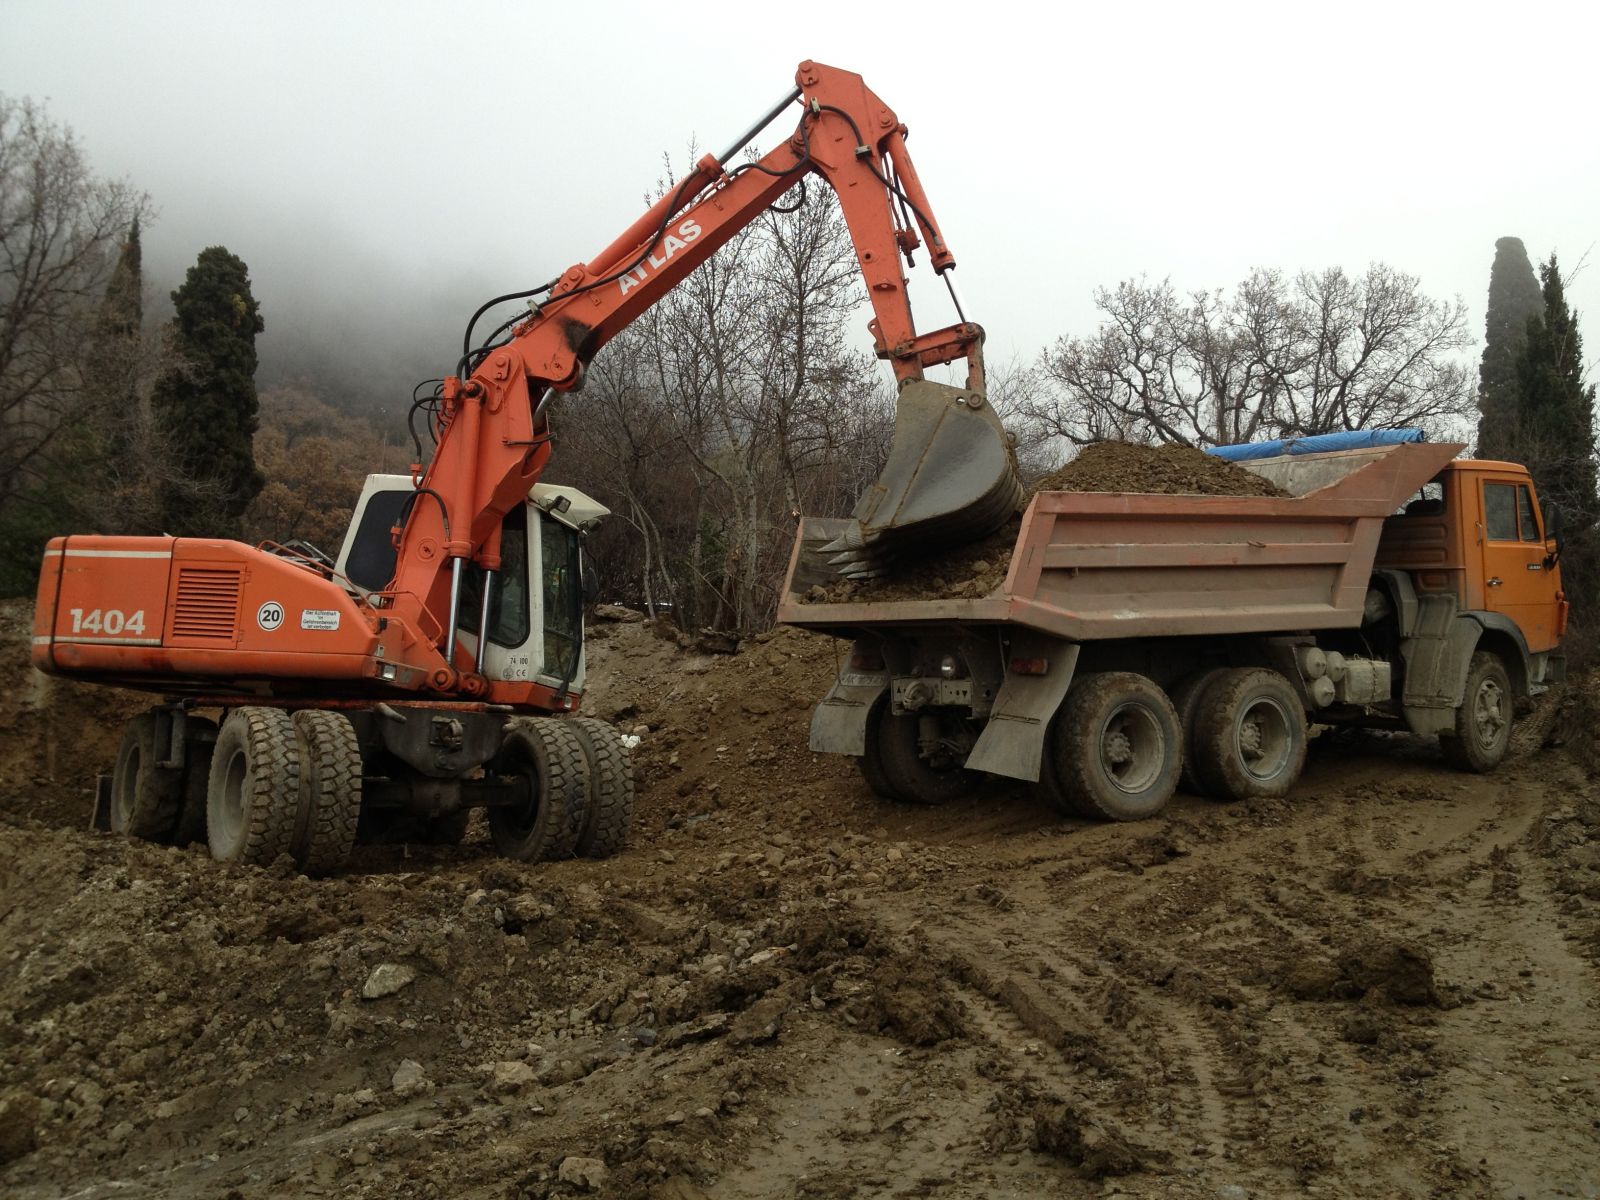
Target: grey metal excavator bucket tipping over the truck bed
[(951, 479)]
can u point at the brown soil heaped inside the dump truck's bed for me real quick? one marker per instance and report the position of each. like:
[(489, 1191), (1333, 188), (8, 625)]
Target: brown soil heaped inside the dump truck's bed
[(980, 569)]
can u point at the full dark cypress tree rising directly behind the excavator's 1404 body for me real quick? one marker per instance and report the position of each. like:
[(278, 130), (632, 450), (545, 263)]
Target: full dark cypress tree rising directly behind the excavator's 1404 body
[(206, 407)]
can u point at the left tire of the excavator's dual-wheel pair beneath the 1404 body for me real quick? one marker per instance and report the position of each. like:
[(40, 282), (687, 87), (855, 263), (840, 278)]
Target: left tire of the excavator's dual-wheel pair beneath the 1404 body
[(254, 793)]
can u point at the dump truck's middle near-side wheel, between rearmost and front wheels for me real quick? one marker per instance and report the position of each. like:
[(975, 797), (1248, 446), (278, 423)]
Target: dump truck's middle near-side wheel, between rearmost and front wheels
[(1250, 737)]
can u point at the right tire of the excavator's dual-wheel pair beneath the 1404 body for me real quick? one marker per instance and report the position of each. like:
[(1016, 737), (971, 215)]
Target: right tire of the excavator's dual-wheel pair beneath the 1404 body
[(330, 798)]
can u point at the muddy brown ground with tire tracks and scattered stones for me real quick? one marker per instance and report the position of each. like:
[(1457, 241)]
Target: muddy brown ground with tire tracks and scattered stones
[(785, 988)]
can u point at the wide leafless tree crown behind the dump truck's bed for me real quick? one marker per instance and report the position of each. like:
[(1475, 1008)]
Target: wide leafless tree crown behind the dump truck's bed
[(1274, 359)]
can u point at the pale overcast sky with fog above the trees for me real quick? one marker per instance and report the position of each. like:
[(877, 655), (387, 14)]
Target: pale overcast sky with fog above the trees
[(383, 159)]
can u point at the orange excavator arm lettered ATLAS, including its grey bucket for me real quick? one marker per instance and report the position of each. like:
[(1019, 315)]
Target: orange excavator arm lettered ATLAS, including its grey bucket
[(950, 478)]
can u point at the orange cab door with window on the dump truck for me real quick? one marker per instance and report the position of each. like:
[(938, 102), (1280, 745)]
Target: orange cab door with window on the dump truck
[(1516, 582)]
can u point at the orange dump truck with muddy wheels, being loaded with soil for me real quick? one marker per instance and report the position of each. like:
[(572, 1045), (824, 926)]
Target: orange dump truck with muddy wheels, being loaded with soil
[(1145, 641)]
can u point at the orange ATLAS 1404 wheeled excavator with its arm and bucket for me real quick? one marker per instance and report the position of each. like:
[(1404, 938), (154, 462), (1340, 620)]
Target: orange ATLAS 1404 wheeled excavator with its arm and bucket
[(436, 665)]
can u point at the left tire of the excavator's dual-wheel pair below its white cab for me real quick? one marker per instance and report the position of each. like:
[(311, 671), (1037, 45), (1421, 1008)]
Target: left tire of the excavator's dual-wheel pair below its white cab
[(550, 767)]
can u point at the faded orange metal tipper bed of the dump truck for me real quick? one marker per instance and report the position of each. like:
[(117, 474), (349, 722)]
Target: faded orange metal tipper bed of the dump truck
[(1111, 566)]
